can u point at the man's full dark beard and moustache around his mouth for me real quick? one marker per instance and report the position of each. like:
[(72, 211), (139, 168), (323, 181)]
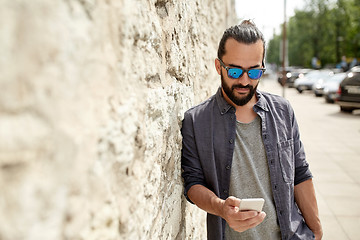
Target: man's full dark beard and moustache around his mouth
[(229, 91)]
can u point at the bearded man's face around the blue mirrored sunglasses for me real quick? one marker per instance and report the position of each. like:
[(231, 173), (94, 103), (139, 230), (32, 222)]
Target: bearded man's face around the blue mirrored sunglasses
[(240, 91)]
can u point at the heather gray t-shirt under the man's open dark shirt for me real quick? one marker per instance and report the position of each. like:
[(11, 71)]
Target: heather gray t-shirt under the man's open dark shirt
[(250, 179)]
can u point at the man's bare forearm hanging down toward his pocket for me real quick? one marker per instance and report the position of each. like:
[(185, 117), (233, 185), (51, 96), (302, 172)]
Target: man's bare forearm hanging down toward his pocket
[(306, 200)]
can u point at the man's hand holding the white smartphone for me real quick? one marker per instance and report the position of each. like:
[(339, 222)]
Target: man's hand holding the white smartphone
[(238, 220)]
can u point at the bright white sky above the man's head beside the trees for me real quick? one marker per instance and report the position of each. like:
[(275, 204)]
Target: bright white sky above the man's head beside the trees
[(268, 15)]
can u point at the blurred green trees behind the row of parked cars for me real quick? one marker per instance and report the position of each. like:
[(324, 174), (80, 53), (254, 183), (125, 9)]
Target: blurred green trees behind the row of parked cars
[(325, 29)]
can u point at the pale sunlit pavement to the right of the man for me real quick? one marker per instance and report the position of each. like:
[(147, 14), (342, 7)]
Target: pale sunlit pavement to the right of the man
[(332, 145)]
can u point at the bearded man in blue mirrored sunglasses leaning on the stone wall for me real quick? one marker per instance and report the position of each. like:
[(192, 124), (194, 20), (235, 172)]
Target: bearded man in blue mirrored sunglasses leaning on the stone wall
[(243, 143)]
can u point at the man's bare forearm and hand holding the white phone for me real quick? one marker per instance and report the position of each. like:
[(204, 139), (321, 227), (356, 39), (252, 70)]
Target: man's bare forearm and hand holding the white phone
[(227, 209)]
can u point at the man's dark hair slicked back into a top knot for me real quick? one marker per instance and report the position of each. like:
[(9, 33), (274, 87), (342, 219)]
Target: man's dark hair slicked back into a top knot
[(246, 32)]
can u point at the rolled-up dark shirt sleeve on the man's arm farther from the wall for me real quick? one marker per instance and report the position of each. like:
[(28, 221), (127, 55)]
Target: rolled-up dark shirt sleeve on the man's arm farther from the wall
[(302, 170)]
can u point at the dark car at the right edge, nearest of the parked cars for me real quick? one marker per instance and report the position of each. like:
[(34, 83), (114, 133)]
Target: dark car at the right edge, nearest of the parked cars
[(349, 91)]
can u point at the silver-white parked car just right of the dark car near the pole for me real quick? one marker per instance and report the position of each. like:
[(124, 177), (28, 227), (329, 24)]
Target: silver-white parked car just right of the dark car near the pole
[(307, 82)]
